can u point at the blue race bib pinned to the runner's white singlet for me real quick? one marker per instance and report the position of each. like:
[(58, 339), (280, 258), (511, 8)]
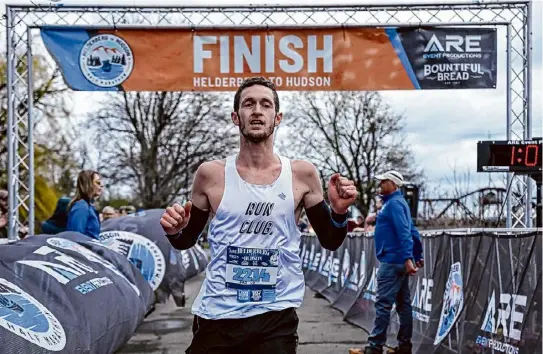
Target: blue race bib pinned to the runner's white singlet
[(252, 272)]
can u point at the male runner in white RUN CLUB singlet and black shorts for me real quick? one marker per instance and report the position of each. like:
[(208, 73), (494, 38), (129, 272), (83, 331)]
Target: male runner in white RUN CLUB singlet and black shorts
[(254, 280)]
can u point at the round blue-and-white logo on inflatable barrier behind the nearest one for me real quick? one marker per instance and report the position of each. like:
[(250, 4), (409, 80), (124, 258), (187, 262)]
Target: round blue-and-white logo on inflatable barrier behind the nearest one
[(140, 251)]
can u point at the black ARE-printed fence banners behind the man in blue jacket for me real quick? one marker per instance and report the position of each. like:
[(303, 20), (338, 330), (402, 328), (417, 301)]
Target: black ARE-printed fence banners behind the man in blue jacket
[(477, 293)]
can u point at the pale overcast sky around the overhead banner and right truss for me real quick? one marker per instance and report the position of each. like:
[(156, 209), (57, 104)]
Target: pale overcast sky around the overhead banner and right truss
[(443, 126)]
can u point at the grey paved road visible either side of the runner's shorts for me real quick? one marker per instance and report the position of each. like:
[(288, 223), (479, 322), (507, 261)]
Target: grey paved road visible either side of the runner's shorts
[(321, 330)]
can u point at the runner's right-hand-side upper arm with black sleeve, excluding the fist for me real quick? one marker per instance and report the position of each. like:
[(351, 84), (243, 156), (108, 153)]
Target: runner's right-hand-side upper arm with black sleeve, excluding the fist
[(330, 227)]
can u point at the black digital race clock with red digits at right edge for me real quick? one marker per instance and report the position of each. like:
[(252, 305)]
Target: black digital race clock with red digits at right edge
[(509, 156)]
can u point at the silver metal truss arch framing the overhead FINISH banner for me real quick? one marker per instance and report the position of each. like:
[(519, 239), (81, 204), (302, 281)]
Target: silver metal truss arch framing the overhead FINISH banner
[(21, 19)]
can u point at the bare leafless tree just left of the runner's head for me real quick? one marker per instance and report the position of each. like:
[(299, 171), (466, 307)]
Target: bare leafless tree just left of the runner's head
[(153, 142)]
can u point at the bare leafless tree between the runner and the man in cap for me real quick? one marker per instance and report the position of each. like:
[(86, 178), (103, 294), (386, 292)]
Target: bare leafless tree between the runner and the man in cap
[(354, 133)]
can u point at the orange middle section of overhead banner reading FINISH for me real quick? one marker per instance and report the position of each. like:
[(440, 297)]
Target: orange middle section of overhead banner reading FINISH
[(294, 60)]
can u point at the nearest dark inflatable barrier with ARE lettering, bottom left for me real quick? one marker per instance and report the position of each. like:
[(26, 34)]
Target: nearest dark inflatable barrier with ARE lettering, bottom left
[(68, 294)]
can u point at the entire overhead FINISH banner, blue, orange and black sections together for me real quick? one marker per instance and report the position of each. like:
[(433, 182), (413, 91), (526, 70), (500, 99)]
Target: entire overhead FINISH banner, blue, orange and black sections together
[(325, 59)]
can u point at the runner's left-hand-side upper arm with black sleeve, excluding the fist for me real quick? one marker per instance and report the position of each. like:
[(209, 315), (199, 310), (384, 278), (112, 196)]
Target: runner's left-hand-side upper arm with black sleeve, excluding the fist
[(199, 213)]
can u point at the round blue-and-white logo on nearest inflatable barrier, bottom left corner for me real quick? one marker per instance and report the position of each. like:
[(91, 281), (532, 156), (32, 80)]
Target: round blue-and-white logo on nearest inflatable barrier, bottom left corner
[(23, 315)]
